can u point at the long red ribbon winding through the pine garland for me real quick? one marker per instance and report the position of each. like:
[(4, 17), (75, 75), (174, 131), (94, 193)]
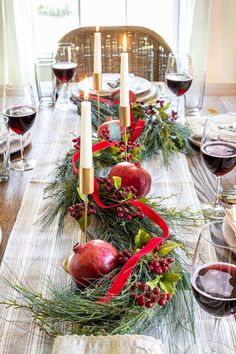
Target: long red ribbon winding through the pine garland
[(129, 266)]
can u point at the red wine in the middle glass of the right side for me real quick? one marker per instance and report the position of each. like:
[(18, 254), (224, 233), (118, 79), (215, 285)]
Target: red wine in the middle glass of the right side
[(219, 156)]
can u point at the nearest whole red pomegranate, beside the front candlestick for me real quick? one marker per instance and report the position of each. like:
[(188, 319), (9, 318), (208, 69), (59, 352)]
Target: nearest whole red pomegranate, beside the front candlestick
[(91, 261)]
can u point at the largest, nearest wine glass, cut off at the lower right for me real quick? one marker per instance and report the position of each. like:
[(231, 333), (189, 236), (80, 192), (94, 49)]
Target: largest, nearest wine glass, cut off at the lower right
[(213, 279)]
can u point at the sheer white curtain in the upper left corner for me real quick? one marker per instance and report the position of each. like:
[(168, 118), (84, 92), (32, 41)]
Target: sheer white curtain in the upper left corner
[(17, 53)]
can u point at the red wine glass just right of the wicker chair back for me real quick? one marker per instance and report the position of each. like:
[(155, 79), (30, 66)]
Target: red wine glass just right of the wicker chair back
[(179, 74)]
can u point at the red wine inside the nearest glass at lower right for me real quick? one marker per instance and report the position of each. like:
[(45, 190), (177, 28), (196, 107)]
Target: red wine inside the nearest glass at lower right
[(214, 288)]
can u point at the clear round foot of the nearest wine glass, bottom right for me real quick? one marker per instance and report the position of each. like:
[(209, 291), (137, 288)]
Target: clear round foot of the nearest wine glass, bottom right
[(204, 348)]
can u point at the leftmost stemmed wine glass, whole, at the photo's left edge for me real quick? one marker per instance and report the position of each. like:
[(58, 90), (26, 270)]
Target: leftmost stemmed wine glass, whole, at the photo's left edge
[(19, 106)]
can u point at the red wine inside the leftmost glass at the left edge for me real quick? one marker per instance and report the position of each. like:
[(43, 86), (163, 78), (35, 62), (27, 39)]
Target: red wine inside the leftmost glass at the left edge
[(21, 118)]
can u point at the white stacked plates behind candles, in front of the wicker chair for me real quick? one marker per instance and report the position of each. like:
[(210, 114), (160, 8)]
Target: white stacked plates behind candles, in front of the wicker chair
[(111, 82)]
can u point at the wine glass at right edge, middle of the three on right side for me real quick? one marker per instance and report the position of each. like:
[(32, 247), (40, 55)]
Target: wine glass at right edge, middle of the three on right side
[(218, 150)]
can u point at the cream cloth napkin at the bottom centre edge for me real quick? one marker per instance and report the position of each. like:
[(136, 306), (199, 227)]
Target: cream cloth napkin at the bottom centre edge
[(118, 344)]
